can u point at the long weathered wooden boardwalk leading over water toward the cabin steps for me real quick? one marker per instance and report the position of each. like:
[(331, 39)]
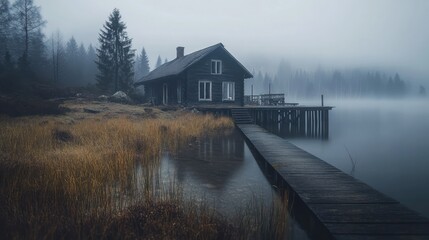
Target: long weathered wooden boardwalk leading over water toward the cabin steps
[(340, 207)]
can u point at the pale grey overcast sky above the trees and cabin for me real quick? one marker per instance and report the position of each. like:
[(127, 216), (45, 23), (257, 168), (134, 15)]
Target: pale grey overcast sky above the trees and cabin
[(388, 33)]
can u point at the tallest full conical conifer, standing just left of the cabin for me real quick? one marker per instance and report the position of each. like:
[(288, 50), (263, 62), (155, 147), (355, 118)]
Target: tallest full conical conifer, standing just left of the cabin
[(115, 56)]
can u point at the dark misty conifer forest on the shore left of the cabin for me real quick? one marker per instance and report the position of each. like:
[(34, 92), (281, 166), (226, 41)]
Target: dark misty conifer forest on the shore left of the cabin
[(32, 61)]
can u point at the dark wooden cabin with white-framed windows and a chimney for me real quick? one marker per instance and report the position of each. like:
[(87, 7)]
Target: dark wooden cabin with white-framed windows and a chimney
[(205, 77)]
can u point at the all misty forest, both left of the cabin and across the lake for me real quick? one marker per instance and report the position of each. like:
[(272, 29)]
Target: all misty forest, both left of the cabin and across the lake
[(47, 64)]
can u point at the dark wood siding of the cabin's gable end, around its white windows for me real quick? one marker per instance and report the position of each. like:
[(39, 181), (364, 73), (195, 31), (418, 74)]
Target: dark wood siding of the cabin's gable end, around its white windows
[(201, 71)]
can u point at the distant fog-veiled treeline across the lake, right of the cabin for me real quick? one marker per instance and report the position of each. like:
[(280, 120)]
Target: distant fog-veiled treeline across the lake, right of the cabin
[(356, 83)]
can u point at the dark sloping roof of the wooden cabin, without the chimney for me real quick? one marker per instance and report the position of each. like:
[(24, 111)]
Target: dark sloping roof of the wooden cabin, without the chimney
[(178, 65)]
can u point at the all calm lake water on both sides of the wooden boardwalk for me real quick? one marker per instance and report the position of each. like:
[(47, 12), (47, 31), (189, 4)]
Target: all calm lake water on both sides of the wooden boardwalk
[(388, 142)]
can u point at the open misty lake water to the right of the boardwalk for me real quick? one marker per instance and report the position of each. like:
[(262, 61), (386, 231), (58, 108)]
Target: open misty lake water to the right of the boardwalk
[(387, 140)]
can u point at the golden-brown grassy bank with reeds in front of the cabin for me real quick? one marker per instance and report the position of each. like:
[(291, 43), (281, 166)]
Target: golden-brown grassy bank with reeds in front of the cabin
[(75, 177)]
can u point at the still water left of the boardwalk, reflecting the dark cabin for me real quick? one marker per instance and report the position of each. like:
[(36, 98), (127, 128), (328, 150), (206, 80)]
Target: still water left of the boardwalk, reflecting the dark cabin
[(222, 171)]
